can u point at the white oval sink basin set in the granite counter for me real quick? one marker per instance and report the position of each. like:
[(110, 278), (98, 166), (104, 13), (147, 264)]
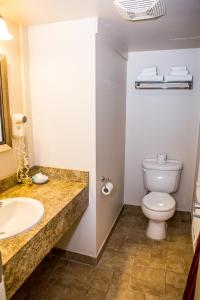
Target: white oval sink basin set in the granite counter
[(18, 215)]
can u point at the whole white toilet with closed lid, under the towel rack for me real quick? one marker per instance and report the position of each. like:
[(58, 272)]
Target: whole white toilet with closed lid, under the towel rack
[(158, 206)]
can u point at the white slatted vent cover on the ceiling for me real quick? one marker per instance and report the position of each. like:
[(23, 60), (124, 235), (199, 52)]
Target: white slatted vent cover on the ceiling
[(134, 10)]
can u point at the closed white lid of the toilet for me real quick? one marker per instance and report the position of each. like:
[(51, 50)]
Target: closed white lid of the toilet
[(159, 201)]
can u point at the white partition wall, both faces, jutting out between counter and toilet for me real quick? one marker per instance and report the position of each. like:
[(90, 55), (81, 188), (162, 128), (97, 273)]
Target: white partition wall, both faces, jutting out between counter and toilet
[(77, 91)]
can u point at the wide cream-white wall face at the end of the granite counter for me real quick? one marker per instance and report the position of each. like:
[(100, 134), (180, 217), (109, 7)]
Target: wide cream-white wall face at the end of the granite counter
[(62, 89)]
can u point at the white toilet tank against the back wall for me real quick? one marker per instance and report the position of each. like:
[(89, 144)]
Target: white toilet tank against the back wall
[(164, 178)]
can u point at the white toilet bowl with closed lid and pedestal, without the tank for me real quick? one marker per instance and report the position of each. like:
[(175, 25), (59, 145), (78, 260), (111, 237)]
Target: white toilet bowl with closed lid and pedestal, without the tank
[(158, 208)]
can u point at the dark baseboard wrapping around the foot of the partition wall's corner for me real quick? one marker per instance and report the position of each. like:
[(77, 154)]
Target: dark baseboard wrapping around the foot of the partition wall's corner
[(69, 255)]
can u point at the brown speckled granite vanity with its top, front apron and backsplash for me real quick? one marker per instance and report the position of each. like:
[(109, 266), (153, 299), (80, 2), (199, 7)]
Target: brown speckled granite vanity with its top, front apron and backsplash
[(64, 203)]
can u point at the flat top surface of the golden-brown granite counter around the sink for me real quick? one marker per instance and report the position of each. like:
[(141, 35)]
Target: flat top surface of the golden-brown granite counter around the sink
[(54, 195)]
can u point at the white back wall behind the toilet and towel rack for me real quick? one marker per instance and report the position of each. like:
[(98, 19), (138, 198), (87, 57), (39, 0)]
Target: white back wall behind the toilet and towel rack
[(162, 121)]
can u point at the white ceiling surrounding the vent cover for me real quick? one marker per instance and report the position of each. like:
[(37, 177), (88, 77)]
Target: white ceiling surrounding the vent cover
[(180, 28)]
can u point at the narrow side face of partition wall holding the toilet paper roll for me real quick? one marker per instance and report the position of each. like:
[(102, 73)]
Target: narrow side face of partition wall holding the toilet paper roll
[(110, 133)]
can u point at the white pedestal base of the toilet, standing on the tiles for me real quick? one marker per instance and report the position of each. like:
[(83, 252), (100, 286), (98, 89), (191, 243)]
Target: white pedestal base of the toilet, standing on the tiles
[(156, 230)]
